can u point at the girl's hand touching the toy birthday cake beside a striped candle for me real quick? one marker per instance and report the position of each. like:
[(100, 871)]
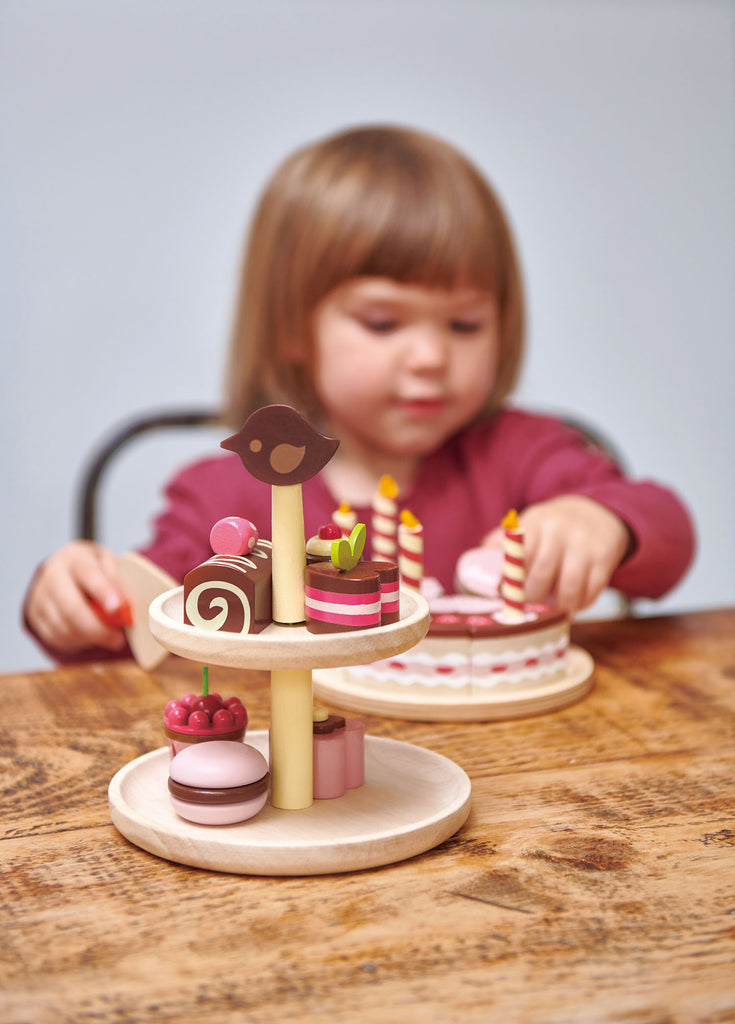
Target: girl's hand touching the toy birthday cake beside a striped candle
[(574, 546)]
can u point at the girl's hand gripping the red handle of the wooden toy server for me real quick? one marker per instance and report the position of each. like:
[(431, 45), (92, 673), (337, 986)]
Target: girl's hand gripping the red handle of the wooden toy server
[(59, 607)]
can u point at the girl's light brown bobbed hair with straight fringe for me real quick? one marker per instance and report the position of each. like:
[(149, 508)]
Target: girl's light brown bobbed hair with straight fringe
[(379, 201)]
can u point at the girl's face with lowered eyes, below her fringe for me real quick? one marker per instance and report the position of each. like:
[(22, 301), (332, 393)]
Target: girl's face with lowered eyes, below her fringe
[(400, 368)]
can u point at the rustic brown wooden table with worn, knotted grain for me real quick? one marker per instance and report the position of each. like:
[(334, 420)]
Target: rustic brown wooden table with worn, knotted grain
[(594, 881)]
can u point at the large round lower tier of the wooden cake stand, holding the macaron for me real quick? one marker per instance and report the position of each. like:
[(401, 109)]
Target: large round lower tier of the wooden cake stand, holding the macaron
[(413, 799)]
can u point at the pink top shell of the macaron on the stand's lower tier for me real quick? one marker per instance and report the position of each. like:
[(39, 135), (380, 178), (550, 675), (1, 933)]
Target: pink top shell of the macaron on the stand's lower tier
[(220, 764)]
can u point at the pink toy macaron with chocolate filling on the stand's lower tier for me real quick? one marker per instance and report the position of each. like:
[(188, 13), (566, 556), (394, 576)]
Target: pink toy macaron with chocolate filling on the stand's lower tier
[(220, 783)]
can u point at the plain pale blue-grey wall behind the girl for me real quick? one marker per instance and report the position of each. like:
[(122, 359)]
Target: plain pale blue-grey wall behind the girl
[(138, 136)]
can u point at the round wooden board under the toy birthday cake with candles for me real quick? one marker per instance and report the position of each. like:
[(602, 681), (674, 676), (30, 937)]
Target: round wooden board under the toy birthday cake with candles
[(423, 707)]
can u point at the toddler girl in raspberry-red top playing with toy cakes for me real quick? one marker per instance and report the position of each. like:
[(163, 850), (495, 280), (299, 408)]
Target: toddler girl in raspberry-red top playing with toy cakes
[(381, 297)]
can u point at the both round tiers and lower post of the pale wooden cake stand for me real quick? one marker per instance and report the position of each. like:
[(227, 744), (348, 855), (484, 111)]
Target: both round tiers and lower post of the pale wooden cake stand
[(413, 799)]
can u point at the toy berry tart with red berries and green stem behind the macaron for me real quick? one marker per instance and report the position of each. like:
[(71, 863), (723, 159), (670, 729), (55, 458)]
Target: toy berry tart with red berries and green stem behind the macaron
[(197, 718)]
